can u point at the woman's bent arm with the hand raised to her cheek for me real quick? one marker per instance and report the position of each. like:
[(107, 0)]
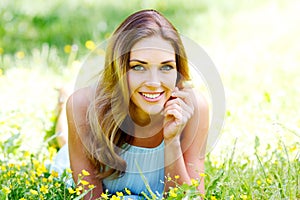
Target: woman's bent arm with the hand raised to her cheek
[(183, 151)]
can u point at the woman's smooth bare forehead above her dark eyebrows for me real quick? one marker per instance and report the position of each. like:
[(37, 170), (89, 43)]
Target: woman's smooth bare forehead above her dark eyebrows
[(153, 46)]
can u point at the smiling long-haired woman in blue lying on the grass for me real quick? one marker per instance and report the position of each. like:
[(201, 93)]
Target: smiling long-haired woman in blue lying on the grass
[(143, 121)]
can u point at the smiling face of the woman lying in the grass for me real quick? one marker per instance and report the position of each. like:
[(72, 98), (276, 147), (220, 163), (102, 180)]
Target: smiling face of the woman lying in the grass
[(152, 75)]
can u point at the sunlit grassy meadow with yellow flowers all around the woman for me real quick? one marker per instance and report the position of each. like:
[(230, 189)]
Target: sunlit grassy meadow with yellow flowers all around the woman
[(255, 47)]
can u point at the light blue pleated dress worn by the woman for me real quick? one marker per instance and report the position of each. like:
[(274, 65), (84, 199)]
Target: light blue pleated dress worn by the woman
[(144, 172)]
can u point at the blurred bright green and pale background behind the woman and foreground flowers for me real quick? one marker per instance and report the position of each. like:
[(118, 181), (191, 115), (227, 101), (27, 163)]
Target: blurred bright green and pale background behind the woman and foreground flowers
[(254, 44)]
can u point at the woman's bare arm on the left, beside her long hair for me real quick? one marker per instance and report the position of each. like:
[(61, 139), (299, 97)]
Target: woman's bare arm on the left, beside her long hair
[(78, 128)]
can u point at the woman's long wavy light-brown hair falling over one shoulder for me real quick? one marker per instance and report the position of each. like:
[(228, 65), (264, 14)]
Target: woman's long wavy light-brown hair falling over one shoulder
[(108, 114)]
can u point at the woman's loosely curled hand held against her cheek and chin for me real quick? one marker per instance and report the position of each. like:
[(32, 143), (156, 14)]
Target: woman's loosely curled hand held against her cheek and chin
[(178, 110)]
